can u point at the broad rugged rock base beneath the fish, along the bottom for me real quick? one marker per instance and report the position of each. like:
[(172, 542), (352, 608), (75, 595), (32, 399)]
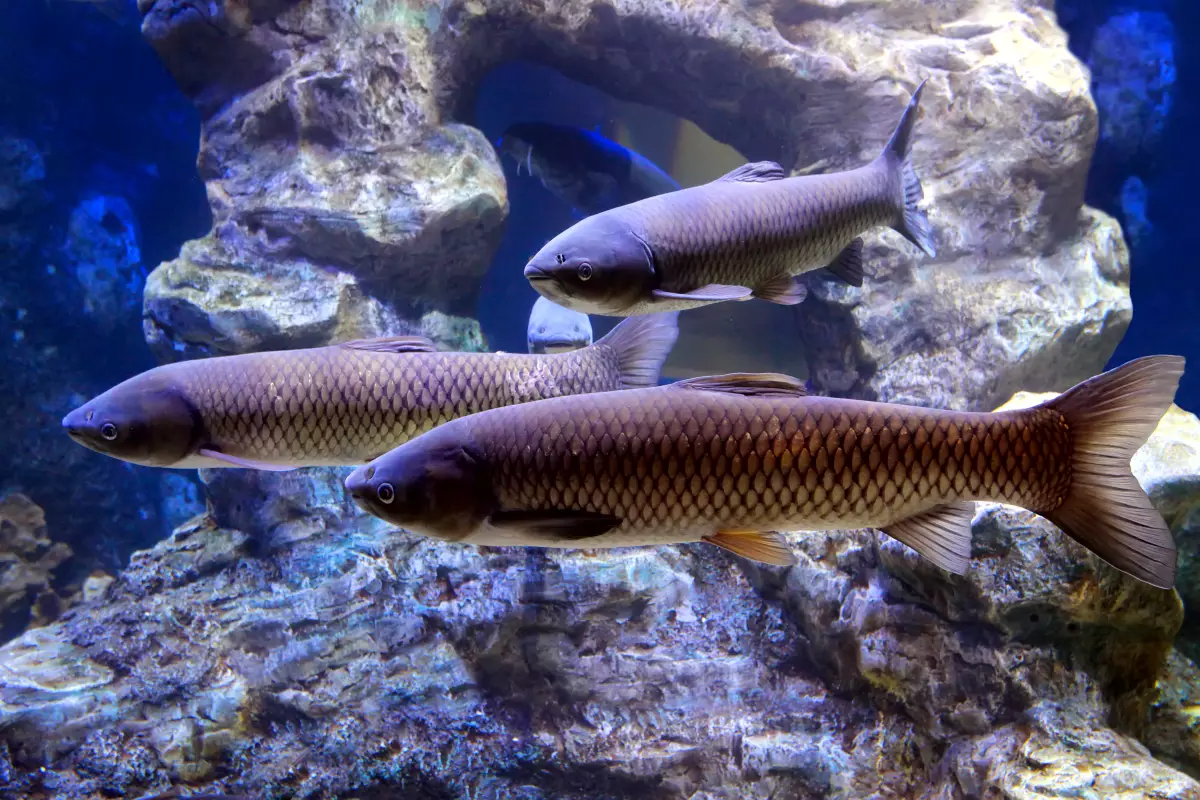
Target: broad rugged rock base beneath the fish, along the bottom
[(356, 660)]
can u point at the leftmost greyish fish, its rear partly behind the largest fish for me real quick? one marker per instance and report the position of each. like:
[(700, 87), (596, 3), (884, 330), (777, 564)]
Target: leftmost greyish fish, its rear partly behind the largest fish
[(341, 405)]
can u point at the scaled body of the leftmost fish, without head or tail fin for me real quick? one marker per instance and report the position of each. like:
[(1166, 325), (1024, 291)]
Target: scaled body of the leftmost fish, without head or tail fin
[(339, 406)]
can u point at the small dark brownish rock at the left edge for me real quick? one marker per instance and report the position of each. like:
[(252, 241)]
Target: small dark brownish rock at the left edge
[(28, 560)]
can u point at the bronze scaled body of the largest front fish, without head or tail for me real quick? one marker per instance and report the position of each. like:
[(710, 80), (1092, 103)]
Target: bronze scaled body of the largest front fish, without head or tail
[(679, 466)]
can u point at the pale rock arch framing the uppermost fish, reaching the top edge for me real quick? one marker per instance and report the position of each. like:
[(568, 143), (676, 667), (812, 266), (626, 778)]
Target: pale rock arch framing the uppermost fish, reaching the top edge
[(1030, 288)]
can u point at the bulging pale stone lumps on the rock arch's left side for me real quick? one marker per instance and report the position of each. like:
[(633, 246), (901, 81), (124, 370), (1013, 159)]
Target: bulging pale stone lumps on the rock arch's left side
[(356, 246)]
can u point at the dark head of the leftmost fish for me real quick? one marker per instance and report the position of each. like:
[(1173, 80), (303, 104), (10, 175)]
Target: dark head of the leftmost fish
[(145, 420)]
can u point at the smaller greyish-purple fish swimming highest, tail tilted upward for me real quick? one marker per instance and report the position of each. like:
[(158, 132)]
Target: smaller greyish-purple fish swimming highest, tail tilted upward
[(748, 234)]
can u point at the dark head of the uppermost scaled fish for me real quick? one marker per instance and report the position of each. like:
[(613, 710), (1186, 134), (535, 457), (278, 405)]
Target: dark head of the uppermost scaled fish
[(601, 266)]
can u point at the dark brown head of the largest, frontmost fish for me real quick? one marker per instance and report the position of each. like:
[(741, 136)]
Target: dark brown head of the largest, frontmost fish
[(435, 485)]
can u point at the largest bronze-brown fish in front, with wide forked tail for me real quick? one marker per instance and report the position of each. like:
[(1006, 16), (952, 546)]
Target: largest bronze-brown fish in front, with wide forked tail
[(730, 459)]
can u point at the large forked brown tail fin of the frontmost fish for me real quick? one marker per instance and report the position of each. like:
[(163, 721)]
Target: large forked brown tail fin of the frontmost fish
[(1107, 512)]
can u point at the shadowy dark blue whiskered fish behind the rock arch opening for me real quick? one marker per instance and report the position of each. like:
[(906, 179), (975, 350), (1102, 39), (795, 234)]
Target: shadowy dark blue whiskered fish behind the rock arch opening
[(585, 170)]
